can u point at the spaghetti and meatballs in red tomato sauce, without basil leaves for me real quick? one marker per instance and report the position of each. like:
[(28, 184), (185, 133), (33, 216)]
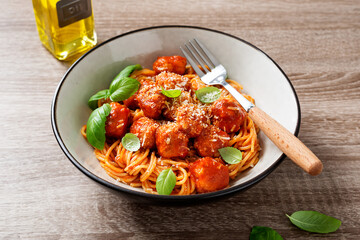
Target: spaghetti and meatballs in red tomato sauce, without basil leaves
[(180, 133)]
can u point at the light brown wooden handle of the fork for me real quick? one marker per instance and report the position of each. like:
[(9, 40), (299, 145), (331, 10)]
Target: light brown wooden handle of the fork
[(286, 142)]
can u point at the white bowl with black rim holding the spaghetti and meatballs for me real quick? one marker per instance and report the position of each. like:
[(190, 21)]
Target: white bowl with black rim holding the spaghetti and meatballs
[(260, 76)]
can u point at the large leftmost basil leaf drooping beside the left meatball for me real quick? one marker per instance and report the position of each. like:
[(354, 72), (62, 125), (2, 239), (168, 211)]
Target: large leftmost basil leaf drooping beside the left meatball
[(95, 127)]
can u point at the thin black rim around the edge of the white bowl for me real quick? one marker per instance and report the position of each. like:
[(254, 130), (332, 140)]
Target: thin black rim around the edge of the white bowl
[(219, 193)]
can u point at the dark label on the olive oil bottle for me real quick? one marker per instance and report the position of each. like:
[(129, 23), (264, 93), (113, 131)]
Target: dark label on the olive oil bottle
[(70, 11)]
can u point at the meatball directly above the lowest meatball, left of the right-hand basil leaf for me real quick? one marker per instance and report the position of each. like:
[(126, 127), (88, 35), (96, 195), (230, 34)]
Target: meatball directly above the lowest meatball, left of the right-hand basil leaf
[(210, 140)]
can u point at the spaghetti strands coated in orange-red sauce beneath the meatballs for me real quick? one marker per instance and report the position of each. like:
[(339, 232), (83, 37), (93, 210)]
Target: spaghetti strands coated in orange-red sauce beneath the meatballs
[(141, 168)]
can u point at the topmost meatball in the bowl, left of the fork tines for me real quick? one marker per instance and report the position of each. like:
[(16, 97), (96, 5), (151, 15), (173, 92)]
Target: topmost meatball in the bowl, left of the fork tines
[(175, 64)]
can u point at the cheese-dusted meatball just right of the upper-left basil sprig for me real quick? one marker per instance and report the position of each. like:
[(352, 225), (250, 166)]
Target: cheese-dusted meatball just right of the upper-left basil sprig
[(150, 99)]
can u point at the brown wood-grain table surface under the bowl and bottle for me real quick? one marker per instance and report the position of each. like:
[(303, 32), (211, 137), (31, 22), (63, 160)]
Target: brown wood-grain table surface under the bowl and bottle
[(316, 43)]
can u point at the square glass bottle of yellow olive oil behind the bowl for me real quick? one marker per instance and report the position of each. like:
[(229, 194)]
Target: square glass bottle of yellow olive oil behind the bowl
[(66, 27)]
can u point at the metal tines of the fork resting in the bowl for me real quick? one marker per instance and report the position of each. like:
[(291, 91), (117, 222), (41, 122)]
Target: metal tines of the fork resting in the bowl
[(198, 56)]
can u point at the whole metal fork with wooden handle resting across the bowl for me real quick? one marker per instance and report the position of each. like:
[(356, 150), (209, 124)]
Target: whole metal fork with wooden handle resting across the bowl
[(213, 73)]
